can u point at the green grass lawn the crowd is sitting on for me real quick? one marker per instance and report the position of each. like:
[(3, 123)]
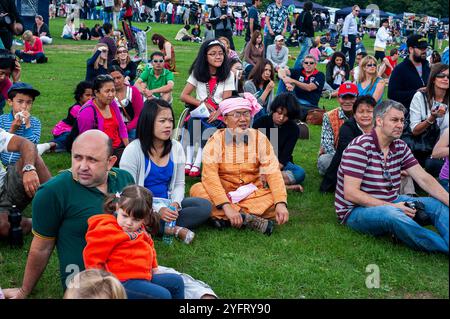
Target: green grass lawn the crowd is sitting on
[(310, 257)]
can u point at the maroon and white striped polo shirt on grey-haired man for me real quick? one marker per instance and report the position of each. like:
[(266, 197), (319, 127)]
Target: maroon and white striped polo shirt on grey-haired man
[(363, 159)]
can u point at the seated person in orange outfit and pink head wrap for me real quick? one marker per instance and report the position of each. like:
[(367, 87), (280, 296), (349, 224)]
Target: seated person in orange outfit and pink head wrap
[(247, 189)]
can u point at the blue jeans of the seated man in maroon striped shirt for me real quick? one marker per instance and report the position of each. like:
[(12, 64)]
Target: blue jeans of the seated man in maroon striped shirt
[(385, 219)]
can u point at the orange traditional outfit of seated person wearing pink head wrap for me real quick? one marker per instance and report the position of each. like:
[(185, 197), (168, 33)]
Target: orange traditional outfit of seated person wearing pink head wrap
[(233, 161)]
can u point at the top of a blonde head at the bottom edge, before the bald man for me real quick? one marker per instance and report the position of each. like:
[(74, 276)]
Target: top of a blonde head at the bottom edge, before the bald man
[(95, 284)]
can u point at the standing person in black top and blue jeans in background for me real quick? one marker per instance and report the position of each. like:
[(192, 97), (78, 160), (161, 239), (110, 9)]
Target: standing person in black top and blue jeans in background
[(305, 27)]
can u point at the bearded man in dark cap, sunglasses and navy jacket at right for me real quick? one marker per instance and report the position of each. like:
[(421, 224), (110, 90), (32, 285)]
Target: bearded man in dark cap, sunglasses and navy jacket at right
[(412, 74)]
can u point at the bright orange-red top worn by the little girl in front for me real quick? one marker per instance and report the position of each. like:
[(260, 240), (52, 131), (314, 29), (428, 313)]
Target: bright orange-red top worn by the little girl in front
[(126, 255)]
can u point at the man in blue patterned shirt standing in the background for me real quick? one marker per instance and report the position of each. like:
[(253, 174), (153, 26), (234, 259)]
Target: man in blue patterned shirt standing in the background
[(276, 22)]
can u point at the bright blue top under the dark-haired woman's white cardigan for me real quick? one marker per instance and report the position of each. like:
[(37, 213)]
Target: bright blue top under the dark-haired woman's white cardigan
[(158, 180)]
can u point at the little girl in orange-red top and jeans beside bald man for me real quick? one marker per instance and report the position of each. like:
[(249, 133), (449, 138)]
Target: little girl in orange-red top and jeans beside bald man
[(118, 243)]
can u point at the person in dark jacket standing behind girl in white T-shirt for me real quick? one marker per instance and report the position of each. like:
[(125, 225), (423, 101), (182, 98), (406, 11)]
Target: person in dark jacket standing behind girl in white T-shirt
[(222, 20)]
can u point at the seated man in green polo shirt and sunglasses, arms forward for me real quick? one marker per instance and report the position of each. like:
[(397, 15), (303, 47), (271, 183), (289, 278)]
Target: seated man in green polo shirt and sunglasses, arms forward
[(156, 82)]
